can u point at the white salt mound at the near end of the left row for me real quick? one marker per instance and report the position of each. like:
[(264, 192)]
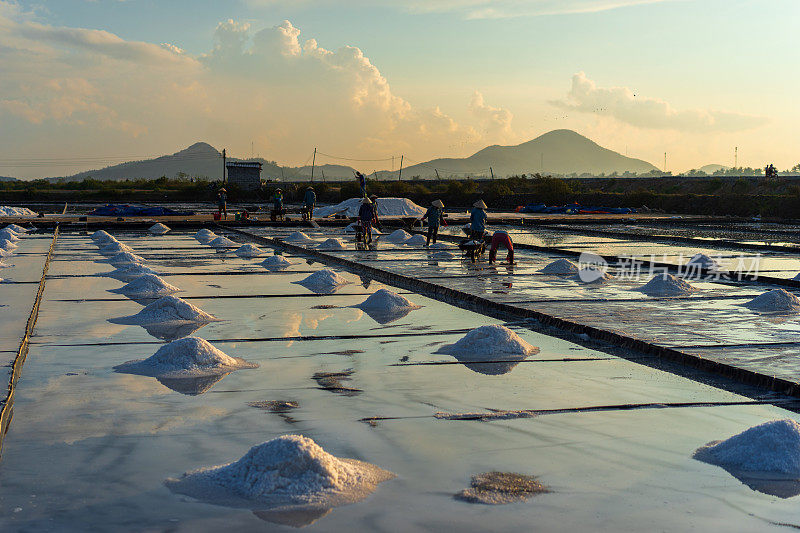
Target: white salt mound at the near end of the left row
[(183, 358)]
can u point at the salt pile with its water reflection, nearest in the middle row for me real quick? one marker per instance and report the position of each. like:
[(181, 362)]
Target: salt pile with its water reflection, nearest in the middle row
[(491, 349)]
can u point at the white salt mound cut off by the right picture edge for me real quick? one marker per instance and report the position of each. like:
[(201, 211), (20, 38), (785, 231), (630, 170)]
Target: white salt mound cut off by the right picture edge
[(770, 447)]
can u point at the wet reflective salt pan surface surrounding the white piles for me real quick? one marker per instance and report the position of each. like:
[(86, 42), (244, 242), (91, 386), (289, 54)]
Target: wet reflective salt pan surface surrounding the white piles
[(89, 448)]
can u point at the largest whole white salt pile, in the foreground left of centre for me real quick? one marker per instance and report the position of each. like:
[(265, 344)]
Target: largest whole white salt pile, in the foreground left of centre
[(290, 472)]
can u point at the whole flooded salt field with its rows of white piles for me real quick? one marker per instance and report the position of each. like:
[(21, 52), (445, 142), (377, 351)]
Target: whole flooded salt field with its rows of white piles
[(235, 346)]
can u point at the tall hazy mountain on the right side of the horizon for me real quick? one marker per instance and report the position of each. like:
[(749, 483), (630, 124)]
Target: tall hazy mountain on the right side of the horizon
[(556, 152)]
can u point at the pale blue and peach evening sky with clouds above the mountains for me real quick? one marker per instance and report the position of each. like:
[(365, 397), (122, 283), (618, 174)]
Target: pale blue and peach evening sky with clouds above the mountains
[(86, 84)]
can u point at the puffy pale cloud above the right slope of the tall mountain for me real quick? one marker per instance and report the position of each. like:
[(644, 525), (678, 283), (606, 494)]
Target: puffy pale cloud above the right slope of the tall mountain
[(645, 112)]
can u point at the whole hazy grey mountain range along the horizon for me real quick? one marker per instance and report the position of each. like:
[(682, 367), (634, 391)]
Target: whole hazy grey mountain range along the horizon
[(557, 152)]
